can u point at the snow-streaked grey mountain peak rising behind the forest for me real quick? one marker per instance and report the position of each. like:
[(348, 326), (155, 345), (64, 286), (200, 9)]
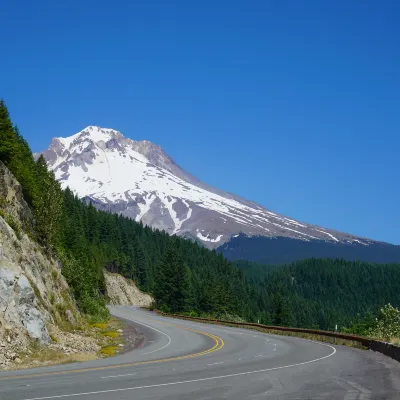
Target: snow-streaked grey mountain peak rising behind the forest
[(138, 179)]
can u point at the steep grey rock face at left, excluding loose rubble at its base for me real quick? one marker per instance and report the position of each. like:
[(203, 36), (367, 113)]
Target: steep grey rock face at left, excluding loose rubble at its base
[(34, 297)]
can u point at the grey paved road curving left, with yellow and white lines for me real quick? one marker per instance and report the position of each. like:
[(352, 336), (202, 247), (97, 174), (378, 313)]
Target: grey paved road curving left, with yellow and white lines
[(187, 360)]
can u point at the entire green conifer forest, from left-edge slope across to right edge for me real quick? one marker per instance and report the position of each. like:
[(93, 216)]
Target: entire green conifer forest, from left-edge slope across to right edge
[(182, 275)]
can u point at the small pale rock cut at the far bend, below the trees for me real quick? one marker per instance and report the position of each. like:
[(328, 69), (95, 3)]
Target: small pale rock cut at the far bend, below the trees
[(122, 291)]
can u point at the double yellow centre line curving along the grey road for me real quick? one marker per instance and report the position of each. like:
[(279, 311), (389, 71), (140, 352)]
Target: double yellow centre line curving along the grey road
[(219, 344)]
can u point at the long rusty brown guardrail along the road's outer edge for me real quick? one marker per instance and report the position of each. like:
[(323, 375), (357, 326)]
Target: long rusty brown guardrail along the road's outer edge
[(387, 349)]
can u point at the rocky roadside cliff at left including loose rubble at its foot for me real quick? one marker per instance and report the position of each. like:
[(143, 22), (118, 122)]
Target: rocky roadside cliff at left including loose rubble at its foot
[(39, 319)]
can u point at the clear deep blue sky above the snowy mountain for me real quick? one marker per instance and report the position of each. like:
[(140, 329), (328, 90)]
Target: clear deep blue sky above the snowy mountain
[(293, 104)]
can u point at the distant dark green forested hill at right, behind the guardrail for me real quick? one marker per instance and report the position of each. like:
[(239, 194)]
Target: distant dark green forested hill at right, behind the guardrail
[(321, 293)]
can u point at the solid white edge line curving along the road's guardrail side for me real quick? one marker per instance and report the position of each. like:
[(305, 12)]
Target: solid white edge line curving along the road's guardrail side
[(190, 381)]
